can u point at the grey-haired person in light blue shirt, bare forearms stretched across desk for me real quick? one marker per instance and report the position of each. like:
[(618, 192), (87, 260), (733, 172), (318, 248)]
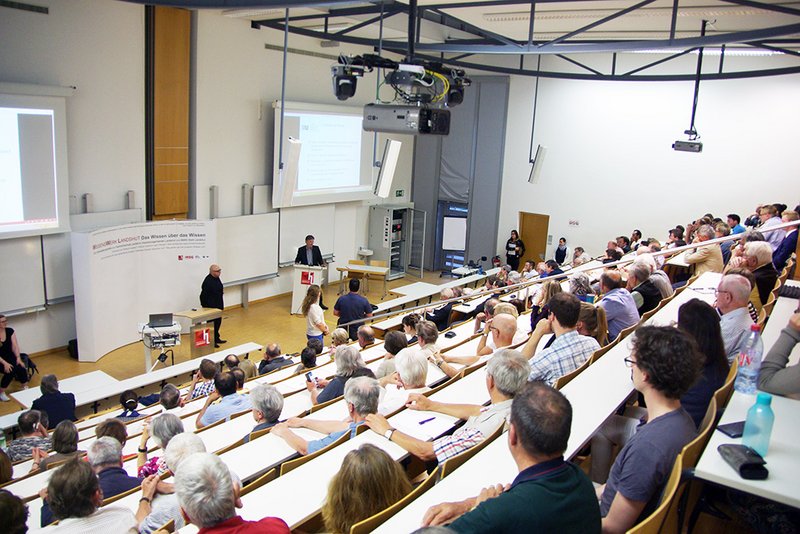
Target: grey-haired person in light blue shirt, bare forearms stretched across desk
[(361, 394)]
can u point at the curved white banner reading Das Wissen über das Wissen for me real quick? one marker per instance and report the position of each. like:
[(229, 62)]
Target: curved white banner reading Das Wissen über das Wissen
[(125, 273)]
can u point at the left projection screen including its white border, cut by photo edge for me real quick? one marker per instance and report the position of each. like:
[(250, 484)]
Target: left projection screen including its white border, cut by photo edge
[(34, 186)]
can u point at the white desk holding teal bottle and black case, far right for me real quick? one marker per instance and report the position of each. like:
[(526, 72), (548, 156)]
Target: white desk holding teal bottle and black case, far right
[(782, 457)]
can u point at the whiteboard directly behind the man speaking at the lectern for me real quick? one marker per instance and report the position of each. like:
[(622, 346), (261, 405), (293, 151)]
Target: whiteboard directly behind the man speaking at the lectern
[(297, 223)]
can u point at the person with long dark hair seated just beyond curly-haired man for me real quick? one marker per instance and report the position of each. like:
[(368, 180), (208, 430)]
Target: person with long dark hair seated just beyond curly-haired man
[(702, 323)]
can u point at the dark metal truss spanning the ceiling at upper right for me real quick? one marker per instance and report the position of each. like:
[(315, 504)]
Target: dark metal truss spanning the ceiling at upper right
[(483, 42)]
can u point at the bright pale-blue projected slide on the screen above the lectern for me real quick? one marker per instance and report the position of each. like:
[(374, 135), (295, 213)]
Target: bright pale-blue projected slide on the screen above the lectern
[(331, 155)]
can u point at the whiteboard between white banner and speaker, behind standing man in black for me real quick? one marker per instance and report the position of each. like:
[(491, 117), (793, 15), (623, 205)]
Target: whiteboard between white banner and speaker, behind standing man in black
[(247, 247)]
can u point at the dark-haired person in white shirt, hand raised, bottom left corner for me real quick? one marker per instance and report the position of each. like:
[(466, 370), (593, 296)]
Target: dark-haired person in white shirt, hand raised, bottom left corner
[(74, 495)]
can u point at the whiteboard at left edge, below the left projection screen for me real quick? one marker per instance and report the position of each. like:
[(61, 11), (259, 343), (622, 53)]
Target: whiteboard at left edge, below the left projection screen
[(21, 273)]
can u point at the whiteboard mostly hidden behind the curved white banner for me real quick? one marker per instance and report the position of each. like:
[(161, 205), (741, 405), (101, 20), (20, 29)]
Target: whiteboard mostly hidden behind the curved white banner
[(57, 248)]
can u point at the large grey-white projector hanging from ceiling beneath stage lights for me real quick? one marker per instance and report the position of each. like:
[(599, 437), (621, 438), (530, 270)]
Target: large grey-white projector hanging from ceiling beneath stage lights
[(406, 119)]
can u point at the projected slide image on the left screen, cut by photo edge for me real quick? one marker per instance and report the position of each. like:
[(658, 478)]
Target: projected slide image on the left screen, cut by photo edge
[(27, 170)]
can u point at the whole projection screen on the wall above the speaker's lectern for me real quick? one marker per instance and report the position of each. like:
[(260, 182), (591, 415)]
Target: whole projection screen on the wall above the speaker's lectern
[(335, 162)]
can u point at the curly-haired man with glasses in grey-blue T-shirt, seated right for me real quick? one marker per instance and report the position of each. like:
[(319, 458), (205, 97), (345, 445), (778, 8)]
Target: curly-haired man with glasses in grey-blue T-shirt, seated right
[(664, 365)]
